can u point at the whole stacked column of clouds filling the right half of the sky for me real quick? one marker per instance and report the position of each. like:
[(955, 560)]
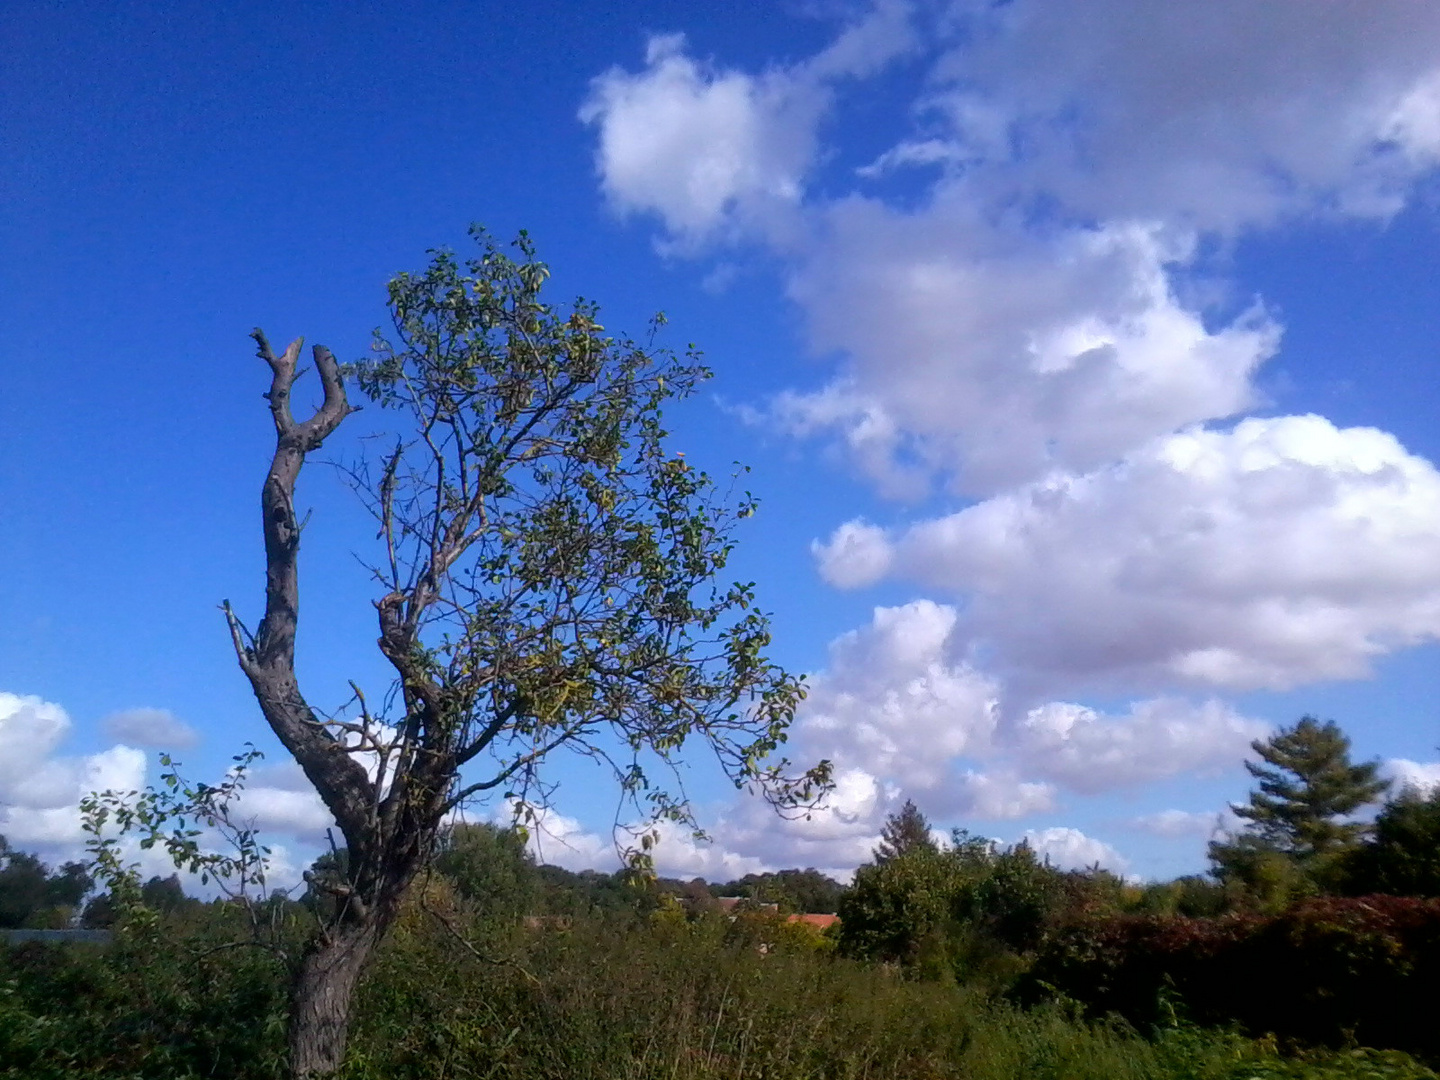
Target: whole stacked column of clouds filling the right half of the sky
[(1017, 300)]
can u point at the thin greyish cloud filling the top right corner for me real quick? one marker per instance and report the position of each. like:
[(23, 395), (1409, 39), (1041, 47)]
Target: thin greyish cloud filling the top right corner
[(1220, 114)]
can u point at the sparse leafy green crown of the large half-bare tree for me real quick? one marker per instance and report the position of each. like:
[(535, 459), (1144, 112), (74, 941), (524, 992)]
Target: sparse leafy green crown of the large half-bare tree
[(565, 559)]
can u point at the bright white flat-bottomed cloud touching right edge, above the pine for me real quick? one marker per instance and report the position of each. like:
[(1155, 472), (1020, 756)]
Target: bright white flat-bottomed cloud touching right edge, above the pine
[(1279, 552)]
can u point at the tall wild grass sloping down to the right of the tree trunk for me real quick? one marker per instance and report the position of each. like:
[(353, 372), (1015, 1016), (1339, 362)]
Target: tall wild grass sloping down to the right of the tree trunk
[(705, 1003)]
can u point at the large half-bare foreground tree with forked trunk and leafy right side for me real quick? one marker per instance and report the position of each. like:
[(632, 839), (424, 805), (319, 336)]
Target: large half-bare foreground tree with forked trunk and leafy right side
[(548, 580)]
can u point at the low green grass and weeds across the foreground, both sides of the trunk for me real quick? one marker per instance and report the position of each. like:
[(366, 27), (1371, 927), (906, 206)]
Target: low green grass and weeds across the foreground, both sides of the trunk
[(606, 1000)]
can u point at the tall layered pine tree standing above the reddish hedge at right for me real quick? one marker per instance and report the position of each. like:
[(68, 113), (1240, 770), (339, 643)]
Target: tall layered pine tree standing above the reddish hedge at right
[(1308, 790)]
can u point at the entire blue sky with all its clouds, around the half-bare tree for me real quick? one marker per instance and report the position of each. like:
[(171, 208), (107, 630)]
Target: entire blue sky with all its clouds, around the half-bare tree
[(1086, 365)]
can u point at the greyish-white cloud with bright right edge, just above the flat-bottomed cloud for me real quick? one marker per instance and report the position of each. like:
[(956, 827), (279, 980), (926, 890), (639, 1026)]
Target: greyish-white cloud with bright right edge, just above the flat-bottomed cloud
[(989, 355)]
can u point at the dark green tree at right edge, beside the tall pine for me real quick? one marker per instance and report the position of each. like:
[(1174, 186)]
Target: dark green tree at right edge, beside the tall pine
[(1403, 856)]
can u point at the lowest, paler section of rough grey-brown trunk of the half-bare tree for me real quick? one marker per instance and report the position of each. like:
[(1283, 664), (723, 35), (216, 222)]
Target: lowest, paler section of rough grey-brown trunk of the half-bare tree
[(322, 996)]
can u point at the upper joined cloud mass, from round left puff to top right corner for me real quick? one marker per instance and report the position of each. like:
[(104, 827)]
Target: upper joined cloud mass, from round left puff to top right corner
[(1035, 307)]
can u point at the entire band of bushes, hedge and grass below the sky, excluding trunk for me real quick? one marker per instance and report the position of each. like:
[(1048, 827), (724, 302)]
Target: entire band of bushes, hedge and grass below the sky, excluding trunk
[(951, 961)]
